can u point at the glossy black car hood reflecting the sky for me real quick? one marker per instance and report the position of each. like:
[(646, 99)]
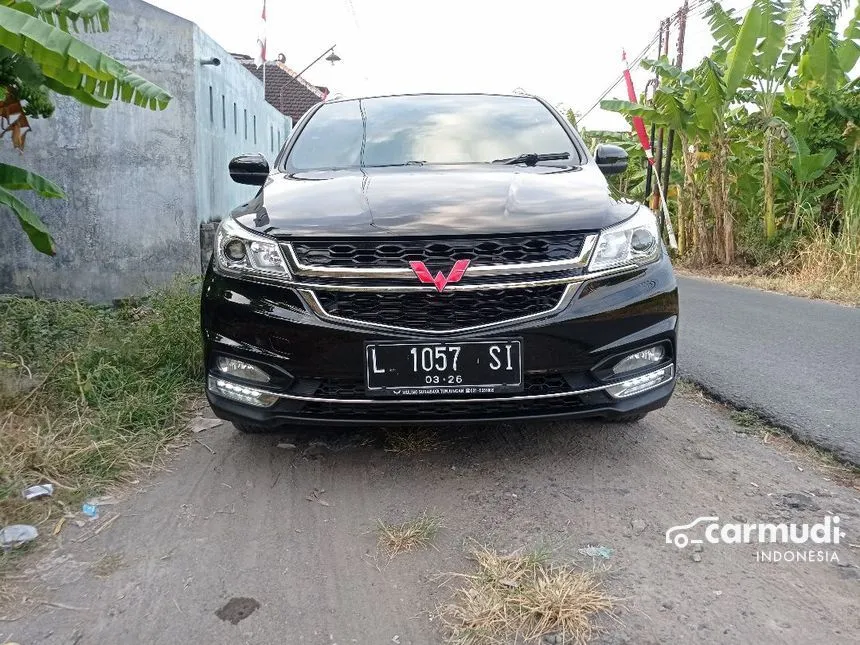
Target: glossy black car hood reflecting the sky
[(424, 201)]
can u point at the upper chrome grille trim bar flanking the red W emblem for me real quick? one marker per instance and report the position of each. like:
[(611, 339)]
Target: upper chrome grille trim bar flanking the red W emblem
[(579, 262)]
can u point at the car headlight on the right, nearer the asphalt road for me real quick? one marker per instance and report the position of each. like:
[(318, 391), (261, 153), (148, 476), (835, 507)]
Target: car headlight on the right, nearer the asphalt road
[(636, 240)]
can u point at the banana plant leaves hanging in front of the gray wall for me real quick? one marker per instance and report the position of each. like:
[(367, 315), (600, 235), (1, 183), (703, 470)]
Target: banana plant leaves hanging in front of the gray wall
[(39, 55)]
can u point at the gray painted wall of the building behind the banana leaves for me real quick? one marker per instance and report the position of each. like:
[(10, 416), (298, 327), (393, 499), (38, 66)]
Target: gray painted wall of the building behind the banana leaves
[(138, 182)]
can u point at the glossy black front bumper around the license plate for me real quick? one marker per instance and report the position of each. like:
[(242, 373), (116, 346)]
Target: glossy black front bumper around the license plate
[(318, 365)]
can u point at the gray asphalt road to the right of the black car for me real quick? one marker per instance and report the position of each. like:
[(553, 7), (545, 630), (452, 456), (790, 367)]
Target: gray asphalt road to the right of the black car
[(793, 360)]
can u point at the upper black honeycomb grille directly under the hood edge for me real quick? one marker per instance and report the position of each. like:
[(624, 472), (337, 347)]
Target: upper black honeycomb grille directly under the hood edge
[(439, 252)]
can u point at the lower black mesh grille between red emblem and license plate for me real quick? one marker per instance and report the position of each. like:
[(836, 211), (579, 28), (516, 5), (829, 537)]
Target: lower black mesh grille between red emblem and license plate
[(440, 311)]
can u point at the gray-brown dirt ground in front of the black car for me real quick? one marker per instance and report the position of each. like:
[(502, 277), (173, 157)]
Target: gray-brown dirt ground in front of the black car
[(239, 524)]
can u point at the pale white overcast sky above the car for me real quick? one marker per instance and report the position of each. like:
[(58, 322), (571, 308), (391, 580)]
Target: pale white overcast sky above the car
[(567, 51)]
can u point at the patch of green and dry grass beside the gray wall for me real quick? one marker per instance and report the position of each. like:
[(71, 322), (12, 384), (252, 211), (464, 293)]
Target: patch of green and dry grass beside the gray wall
[(88, 393)]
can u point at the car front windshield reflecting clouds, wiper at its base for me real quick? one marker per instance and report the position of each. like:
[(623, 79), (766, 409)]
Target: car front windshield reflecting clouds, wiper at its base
[(428, 129)]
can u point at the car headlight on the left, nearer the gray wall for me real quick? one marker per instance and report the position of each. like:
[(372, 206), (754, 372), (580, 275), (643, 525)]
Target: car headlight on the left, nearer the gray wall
[(239, 251)]
